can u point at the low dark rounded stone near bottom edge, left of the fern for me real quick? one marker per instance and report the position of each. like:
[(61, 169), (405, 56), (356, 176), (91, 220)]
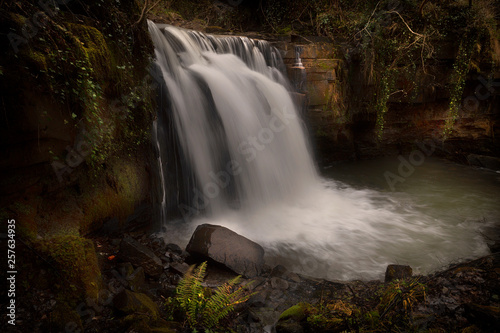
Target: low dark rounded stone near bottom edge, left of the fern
[(132, 302)]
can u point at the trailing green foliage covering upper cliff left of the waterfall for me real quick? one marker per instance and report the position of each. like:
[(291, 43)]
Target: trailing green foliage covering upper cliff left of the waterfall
[(90, 60)]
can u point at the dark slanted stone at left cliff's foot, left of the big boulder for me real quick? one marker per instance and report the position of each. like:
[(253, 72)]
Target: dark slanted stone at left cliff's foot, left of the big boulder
[(140, 255)]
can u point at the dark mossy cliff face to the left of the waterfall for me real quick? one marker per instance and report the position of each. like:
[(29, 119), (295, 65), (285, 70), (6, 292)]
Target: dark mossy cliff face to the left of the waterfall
[(76, 107)]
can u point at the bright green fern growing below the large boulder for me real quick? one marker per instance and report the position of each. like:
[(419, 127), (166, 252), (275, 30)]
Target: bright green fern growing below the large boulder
[(201, 307)]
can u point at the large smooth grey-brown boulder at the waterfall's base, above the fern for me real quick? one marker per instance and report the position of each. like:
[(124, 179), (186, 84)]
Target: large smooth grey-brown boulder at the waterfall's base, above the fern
[(228, 248)]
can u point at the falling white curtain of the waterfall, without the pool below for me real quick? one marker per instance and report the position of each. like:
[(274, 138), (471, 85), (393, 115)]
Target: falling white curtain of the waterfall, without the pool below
[(241, 140)]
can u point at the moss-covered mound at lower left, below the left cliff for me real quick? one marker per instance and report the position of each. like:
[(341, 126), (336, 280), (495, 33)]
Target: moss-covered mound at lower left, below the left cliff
[(75, 261)]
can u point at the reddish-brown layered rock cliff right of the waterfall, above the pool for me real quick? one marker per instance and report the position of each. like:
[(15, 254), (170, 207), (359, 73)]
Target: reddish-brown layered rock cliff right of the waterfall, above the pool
[(343, 120)]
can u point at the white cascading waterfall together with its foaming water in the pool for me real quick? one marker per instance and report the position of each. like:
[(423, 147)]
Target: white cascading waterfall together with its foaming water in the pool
[(252, 172)]
